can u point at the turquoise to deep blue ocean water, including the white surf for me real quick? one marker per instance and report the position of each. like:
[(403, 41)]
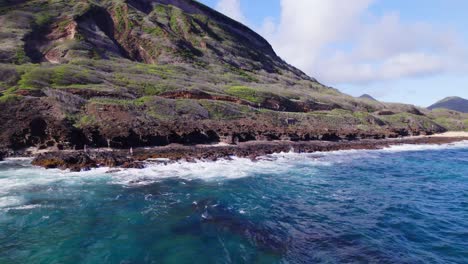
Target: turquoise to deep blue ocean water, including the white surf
[(406, 204)]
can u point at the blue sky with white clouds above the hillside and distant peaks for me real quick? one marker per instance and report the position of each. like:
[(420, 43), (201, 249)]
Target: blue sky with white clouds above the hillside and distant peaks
[(396, 50)]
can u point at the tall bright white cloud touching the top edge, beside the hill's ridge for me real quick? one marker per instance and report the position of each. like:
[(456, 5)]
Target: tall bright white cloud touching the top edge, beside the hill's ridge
[(308, 26)]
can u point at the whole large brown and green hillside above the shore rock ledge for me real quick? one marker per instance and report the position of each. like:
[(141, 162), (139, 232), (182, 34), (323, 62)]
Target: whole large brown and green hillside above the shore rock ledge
[(153, 72)]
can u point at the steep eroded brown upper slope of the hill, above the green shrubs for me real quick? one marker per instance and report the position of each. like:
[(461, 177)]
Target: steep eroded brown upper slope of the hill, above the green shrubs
[(148, 31)]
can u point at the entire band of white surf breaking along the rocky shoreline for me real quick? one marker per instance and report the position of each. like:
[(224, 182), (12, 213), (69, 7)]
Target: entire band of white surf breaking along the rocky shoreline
[(22, 175)]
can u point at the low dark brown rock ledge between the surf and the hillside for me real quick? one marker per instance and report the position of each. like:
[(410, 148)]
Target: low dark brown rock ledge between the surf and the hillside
[(138, 158)]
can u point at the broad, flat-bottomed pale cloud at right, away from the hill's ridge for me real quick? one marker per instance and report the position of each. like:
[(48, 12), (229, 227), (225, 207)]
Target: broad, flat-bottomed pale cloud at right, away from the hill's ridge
[(389, 49)]
